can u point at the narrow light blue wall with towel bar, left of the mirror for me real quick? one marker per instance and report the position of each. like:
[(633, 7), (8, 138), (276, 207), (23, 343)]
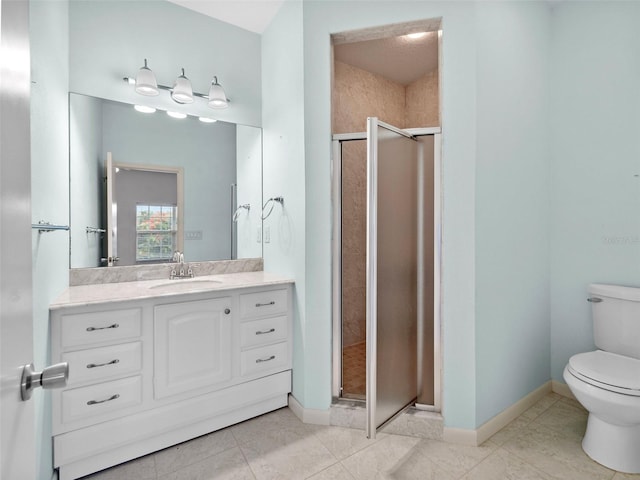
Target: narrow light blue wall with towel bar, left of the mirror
[(49, 191)]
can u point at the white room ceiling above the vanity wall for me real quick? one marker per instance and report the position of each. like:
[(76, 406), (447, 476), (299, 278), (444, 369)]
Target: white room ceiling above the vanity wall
[(252, 15)]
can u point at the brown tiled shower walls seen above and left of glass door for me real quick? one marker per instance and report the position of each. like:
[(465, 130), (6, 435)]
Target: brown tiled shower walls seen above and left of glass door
[(358, 94)]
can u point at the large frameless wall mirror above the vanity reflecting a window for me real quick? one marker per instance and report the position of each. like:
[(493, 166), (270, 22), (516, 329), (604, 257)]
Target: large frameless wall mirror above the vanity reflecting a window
[(209, 209)]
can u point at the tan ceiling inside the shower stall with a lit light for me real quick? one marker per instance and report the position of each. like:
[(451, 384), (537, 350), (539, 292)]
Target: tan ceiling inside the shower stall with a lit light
[(400, 59)]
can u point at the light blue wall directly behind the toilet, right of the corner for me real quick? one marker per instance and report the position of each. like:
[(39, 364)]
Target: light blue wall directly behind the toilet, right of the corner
[(595, 236)]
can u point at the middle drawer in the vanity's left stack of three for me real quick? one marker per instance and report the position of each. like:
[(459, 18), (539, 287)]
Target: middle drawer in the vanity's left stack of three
[(98, 363)]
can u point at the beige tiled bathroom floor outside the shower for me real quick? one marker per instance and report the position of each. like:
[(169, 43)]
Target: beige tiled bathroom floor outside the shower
[(542, 444)]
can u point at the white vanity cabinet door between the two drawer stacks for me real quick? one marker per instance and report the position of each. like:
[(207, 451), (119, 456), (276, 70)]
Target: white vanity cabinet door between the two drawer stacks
[(192, 345)]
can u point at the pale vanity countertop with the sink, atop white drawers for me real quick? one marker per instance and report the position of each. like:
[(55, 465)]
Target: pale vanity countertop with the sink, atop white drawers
[(117, 292)]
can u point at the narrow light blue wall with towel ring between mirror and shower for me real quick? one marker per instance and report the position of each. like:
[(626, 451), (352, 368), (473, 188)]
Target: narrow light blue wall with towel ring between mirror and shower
[(284, 175)]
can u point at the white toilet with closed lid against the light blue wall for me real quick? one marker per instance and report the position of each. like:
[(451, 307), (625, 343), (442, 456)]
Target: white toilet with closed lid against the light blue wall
[(607, 382)]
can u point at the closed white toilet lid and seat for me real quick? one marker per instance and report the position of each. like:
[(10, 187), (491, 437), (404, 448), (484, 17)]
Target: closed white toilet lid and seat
[(608, 371)]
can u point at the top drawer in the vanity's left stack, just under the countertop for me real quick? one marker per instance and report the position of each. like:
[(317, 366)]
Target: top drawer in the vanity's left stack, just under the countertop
[(97, 327)]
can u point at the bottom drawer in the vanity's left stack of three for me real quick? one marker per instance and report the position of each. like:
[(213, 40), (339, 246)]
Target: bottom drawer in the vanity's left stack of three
[(101, 399)]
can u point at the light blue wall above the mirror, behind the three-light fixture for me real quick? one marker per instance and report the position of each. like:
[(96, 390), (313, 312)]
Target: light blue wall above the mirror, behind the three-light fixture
[(110, 40)]
